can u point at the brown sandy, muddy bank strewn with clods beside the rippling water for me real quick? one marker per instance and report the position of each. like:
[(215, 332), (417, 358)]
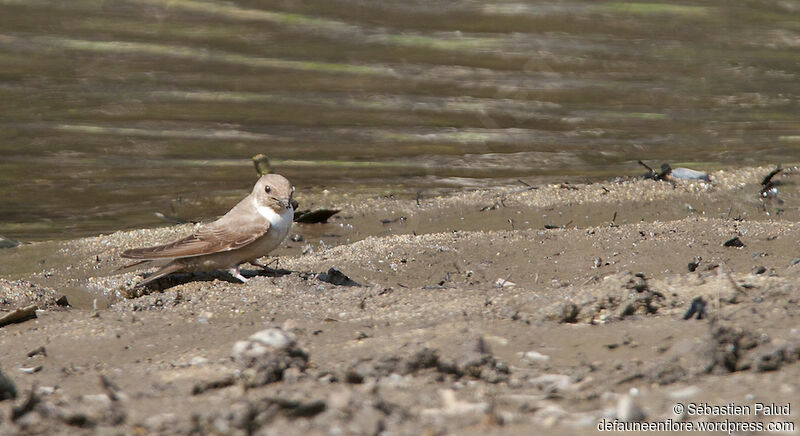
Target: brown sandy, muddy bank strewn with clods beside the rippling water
[(511, 311)]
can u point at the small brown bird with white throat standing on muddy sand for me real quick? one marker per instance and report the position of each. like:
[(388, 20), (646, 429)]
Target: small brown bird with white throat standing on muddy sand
[(253, 228)]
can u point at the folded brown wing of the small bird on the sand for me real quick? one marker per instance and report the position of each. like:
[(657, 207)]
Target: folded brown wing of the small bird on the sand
[(212, 238)]
